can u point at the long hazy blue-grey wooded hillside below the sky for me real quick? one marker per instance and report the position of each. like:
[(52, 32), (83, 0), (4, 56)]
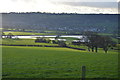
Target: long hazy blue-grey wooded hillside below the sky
[(65, 22)]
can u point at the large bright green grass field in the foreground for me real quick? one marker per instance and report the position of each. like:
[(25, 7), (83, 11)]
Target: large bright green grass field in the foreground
[(44, 62)]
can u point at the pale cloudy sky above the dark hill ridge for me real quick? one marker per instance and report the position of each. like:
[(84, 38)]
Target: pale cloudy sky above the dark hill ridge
[(60, 6)]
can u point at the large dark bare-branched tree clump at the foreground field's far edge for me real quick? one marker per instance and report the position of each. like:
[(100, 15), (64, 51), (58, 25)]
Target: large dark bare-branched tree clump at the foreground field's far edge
[(94, 41)]
